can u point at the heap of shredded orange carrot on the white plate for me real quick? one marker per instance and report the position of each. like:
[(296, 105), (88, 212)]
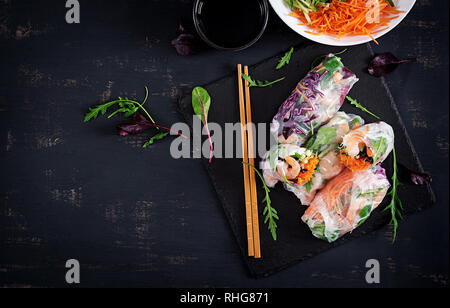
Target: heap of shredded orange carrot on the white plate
[(352, 17)]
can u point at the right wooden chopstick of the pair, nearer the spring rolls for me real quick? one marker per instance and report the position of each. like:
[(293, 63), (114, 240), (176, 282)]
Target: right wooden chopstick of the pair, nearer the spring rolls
[(251, 153)]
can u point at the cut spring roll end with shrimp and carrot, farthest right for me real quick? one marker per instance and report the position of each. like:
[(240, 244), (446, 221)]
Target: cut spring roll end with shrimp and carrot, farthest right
[(367, 146)]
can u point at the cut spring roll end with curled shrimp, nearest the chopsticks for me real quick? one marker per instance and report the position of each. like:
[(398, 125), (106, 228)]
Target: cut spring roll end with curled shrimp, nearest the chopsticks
[(290, 164)]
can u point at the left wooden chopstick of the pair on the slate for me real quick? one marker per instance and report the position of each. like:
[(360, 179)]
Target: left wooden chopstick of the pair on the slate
[(246, 168)]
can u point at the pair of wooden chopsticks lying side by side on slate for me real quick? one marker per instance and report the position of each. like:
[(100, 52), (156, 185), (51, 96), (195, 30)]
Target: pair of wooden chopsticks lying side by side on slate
[(251, 197)]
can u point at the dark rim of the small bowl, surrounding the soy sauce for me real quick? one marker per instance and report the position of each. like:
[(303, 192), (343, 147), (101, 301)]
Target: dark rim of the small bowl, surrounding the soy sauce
[(262, 17)]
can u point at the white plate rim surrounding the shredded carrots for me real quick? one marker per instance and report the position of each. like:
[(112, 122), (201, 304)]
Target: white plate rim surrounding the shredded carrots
[(282, 9)]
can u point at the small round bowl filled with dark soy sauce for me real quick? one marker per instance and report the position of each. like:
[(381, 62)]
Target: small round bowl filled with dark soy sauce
[(231, 24)]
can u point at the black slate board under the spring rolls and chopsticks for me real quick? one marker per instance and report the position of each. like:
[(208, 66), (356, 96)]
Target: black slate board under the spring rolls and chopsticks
[(296, 242)]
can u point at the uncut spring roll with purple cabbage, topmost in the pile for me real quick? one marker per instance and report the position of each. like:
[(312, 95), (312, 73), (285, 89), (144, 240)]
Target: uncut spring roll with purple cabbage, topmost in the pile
[(315, 100)]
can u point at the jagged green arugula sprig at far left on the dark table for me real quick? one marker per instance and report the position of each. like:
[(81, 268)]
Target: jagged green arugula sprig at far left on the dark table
[(125, 106)]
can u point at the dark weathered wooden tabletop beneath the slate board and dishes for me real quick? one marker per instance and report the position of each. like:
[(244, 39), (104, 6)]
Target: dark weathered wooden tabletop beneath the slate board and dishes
[(136, 217)]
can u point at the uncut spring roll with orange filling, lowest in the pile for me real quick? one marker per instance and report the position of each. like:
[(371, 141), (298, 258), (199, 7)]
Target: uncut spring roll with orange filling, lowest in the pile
[(346, 202)]
